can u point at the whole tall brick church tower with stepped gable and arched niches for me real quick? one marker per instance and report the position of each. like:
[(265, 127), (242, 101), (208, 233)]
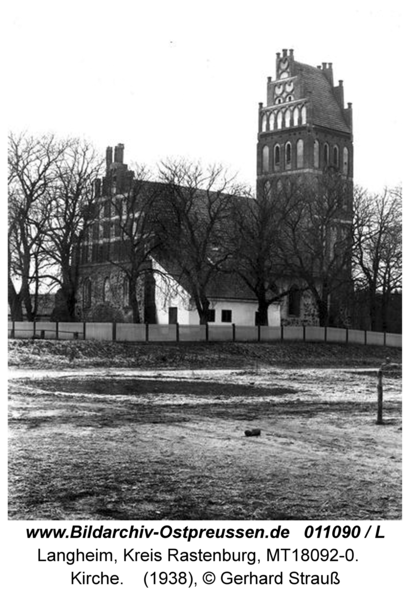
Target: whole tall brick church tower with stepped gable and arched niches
[(305, 145)]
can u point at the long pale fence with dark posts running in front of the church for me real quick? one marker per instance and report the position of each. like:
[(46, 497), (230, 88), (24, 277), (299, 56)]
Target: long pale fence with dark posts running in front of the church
[(132, 332)]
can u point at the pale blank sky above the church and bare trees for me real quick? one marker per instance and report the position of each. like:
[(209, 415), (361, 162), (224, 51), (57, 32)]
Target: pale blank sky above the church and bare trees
[(184, 78)]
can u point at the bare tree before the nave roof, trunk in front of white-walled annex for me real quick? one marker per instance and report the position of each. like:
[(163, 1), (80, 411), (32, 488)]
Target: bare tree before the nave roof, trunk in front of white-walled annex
[(196, 208)]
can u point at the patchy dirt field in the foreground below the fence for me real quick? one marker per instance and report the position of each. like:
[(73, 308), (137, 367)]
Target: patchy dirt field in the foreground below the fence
[(167, 443)]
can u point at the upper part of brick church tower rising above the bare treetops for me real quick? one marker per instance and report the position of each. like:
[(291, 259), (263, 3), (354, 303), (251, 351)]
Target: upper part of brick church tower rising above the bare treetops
[(304, 127)]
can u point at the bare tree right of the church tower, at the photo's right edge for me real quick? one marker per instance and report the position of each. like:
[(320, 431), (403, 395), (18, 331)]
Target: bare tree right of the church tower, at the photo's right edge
[(377, 252)]
